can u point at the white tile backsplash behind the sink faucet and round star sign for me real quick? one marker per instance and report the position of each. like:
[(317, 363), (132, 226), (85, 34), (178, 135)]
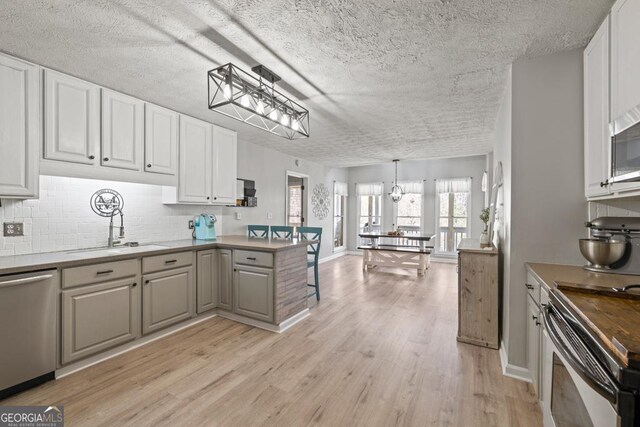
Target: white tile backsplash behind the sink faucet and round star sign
[(61, 219)]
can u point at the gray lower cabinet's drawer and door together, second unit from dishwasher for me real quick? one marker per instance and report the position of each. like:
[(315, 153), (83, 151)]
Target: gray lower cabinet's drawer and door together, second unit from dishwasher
[(168, 290)]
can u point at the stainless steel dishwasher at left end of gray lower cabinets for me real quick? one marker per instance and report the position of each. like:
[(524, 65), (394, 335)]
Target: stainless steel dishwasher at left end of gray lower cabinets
[(27, 330)]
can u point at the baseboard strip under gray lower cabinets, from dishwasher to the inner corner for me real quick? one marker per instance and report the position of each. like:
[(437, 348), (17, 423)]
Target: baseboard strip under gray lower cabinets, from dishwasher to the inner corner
[(109, 354)]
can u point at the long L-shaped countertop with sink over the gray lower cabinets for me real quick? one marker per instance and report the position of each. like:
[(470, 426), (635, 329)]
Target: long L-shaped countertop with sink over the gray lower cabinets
[(51, 260)]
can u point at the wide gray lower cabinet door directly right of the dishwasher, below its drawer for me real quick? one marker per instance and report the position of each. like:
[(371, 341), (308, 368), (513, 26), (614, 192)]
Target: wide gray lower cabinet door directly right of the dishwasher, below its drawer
[(100, 316)]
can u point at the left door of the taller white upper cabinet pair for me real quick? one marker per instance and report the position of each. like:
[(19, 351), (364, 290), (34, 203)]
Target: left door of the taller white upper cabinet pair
[(194, 179)]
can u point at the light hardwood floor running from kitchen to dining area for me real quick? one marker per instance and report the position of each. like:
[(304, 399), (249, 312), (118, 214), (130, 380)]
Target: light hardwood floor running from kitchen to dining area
[(379, 350)]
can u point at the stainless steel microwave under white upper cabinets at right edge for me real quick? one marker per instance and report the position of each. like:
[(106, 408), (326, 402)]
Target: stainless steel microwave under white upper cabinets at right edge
[(625, 147)]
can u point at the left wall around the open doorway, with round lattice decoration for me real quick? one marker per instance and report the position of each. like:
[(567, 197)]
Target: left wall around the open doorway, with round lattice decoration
[(268, 169)]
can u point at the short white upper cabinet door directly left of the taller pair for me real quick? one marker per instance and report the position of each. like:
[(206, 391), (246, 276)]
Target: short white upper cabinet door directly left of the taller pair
[(160, 140)]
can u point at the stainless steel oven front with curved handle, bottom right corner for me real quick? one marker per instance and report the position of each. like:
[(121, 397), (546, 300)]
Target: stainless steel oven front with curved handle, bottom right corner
[(583, 379)]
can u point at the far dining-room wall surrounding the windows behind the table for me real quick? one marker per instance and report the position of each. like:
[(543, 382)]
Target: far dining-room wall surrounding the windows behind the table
[(414, 170)]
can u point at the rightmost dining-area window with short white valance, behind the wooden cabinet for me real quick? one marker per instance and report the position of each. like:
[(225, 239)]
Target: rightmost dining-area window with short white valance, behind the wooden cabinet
[(453, 198)]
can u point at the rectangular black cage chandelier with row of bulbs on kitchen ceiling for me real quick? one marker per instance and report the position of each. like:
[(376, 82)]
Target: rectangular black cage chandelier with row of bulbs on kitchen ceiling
[(255, 101)]
